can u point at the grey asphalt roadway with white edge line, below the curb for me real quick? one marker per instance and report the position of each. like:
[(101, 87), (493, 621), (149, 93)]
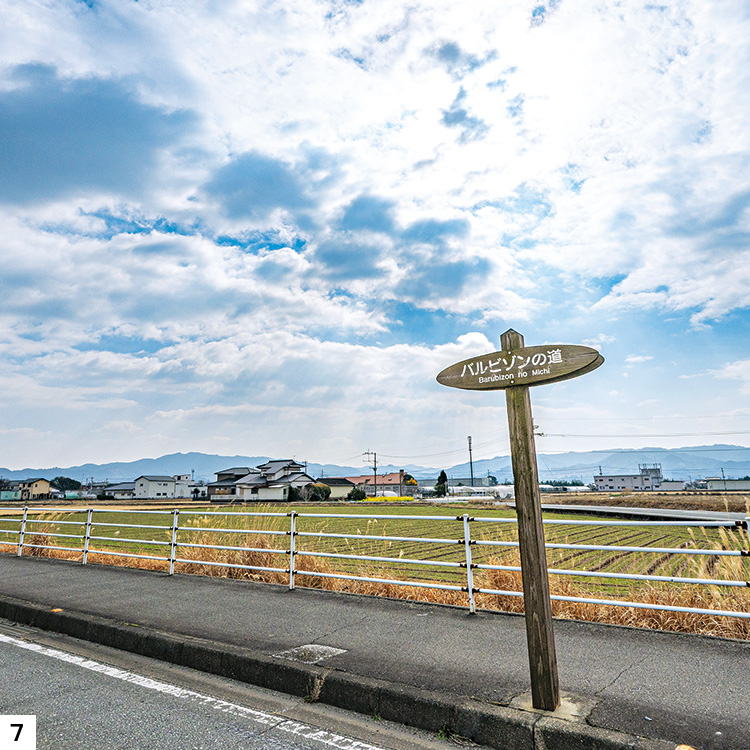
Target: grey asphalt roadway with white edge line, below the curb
[(88, 696)]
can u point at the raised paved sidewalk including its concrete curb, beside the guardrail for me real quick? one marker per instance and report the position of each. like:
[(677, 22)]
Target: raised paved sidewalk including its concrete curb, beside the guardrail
[(426, 665)]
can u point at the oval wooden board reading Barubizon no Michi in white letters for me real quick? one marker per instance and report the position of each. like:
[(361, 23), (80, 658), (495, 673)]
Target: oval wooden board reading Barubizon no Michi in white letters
[(531, 365)]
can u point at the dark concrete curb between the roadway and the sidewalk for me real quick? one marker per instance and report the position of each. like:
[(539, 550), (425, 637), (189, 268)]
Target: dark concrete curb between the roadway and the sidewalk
[(485, 723)]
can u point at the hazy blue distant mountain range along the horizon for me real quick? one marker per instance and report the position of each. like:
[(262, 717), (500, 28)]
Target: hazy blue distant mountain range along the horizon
[(695, 462)]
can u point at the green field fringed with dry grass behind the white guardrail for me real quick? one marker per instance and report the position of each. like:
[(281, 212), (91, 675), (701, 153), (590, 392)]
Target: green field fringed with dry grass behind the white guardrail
[(262, 542)]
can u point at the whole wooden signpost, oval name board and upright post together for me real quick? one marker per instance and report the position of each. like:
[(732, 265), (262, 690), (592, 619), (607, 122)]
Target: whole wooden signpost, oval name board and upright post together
[(514, 369)]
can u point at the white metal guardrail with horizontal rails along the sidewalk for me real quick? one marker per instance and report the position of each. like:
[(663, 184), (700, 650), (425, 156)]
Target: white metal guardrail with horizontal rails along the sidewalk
[(31, 530)]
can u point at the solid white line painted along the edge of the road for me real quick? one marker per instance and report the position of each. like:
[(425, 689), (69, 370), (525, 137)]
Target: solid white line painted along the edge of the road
[(260, 717)]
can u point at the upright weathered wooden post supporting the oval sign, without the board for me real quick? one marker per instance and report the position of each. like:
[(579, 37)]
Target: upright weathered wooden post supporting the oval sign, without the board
[(545, 690)]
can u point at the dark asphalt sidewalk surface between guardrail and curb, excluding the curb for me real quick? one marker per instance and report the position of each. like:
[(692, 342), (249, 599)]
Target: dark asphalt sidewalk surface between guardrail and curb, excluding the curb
[(686, 689)]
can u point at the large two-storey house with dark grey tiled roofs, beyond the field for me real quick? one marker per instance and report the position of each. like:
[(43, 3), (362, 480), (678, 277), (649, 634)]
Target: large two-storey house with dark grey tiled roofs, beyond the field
[(268, 482)]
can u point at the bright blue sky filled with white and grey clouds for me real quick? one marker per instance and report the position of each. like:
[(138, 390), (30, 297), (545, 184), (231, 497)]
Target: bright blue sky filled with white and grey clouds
[(263, 228)]
